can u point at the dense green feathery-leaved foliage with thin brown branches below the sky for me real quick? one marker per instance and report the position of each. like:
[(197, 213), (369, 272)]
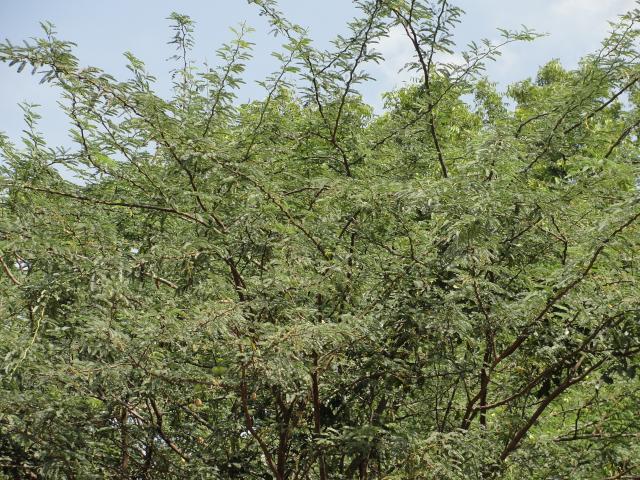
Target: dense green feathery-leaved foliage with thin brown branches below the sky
[(299, 288)]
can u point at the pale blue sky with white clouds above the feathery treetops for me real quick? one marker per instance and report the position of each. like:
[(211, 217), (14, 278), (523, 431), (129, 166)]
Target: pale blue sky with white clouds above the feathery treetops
[(105, 30)]
